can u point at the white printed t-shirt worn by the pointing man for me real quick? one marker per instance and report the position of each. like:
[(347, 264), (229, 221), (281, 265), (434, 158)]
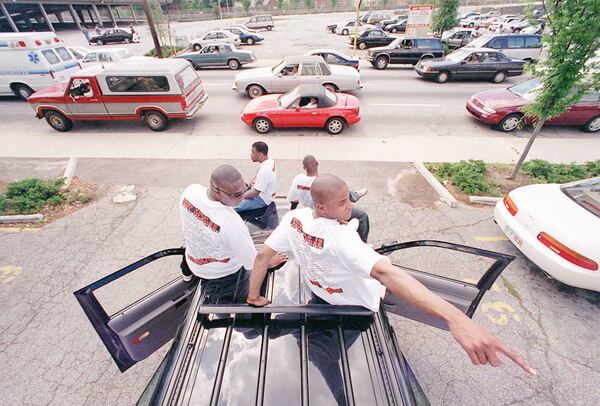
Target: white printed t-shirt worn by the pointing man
[(335, 263)]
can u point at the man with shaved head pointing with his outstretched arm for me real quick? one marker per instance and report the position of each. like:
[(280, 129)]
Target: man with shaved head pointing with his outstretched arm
[(341, 269)]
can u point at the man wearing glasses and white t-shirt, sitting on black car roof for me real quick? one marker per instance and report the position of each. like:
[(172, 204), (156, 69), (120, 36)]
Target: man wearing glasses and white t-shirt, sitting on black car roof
[(218, 244)]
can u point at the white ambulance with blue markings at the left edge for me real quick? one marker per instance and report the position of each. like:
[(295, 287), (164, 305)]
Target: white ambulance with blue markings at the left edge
[(30, 61)]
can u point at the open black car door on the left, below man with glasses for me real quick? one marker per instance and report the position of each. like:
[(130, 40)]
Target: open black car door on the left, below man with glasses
[(136, 331)]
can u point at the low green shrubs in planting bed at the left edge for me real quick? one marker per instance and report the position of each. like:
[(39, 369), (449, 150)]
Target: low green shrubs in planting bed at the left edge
[(29, 196)]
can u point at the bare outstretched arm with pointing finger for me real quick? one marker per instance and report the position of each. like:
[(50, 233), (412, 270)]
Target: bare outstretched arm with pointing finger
[(481, 345)]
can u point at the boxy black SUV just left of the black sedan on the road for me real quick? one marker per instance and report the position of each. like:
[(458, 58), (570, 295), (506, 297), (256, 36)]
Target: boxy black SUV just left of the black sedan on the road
[(406, 50)]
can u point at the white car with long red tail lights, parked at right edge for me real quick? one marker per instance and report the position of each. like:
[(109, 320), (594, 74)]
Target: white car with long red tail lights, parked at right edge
[(558, 228)]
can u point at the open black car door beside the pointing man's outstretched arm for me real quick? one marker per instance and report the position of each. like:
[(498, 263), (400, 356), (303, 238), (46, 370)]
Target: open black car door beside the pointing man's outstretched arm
[(464, 295)]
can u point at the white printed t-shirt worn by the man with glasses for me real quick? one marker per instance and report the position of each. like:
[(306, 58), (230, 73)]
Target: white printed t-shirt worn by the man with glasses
[(217, 241)]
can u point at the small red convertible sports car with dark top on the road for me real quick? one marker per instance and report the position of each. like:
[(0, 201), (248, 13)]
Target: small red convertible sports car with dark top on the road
[(304, 106)]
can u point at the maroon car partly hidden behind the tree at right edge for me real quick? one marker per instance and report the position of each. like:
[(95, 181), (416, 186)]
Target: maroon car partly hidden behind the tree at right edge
[(502, 108)]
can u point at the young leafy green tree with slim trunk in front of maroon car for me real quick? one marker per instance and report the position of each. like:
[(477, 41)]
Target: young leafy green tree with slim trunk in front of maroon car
[(569, 69)]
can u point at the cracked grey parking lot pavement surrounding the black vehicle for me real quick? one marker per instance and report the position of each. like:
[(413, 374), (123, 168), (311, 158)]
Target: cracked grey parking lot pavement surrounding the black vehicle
[(51, 355)]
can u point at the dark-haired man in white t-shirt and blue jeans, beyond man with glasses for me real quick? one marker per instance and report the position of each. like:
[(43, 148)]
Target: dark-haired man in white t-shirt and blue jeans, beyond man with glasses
[(262, 188)]
